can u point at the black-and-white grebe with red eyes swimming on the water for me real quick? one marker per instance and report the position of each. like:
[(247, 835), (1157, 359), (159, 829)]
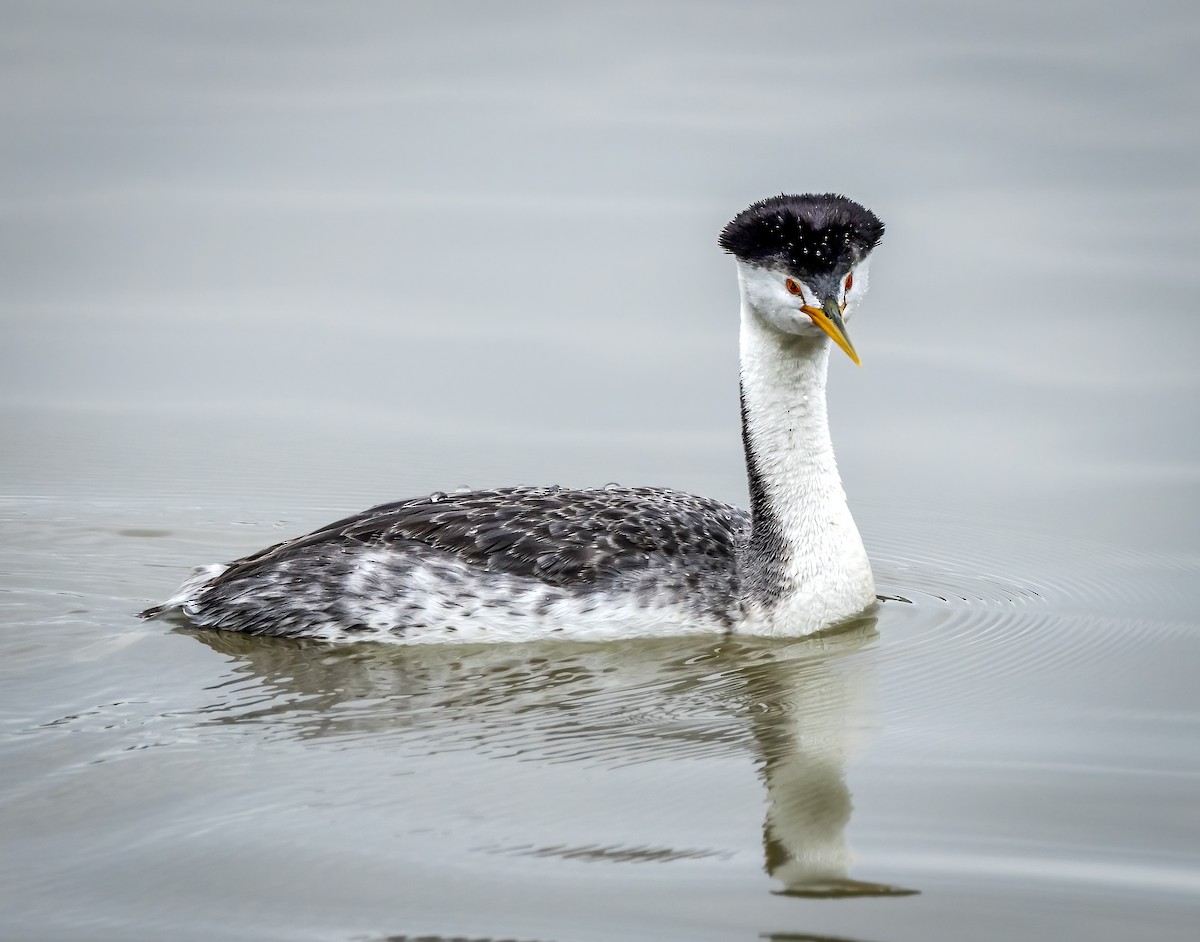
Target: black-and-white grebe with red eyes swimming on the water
[(538, 562)]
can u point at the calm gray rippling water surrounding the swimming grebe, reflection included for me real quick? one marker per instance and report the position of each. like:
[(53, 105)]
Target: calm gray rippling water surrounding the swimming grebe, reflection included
[(266, 265)]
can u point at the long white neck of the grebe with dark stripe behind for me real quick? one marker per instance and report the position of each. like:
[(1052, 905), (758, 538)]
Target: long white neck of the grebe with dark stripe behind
[(805, 566)]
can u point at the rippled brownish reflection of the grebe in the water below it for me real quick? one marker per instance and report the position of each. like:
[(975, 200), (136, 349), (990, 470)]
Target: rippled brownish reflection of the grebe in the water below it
[(685, 705)]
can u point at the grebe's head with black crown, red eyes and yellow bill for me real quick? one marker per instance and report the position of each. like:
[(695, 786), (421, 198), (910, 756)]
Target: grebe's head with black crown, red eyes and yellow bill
[(803, 262)]
